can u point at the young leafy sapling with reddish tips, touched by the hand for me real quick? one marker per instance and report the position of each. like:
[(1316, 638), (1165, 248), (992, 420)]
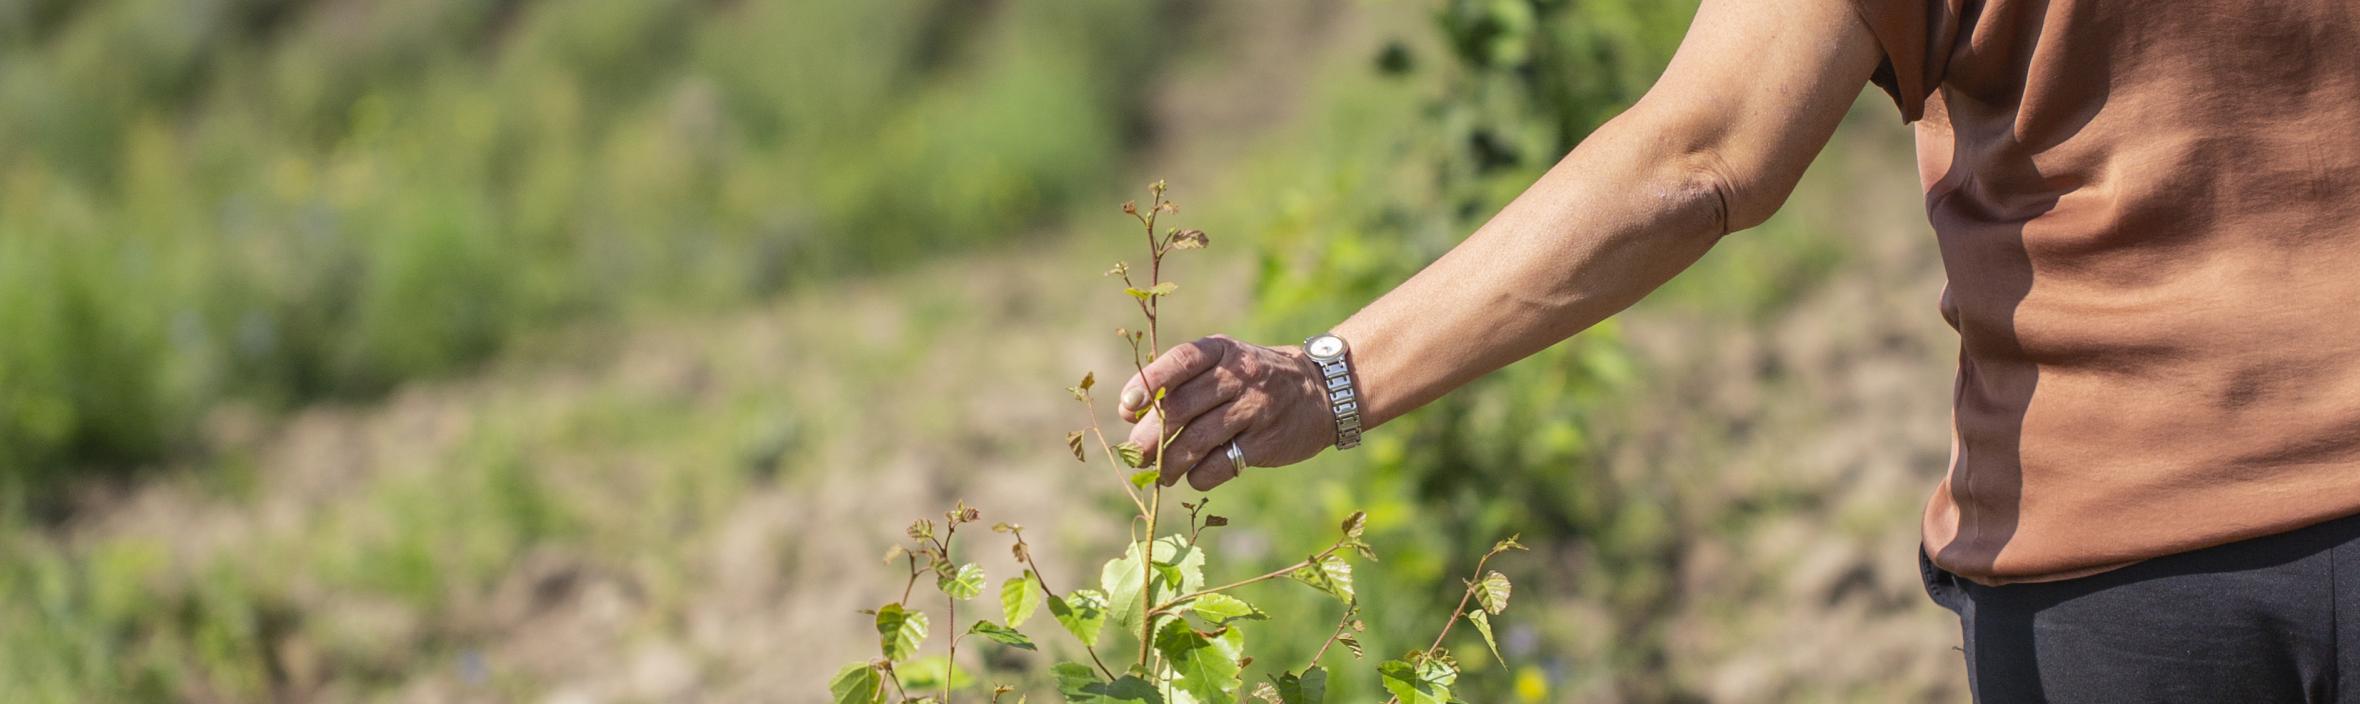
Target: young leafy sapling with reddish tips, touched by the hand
[(1191, 637)]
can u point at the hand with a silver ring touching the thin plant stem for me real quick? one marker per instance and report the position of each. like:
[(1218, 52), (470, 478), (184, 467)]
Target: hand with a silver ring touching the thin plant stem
[(1221, 391)]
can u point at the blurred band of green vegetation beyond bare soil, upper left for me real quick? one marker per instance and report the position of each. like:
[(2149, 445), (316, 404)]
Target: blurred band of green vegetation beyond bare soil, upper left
[(284, 202)]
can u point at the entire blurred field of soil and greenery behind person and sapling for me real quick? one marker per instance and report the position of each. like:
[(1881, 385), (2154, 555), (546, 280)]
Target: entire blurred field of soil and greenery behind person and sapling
[(591, 351)]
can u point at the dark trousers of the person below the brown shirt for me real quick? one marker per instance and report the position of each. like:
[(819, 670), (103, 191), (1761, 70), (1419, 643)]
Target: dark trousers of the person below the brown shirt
[(2267, 620)]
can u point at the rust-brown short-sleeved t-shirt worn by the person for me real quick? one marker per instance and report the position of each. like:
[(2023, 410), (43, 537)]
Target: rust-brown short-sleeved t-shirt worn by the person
[(2151, 223)]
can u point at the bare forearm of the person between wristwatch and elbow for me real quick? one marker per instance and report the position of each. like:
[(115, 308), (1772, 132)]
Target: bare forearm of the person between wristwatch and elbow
[(1611, 223)]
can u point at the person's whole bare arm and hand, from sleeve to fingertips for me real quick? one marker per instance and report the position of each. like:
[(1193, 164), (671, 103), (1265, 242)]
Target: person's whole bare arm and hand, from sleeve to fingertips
[(1715, 148)]
